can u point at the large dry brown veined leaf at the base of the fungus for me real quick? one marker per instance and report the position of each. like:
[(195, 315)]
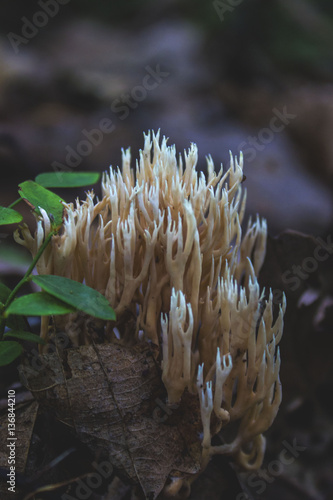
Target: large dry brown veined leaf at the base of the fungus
[(113, 397)]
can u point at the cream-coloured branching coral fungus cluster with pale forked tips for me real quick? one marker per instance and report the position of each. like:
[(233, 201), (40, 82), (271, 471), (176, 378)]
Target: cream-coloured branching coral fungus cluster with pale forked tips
[(165, 246)]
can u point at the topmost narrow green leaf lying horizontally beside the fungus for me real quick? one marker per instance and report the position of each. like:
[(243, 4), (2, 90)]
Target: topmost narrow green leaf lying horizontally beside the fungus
[(67, 179)]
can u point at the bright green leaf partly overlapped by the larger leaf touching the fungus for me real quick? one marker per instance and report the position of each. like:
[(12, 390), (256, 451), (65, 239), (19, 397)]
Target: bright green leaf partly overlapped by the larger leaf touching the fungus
[(38, 304)]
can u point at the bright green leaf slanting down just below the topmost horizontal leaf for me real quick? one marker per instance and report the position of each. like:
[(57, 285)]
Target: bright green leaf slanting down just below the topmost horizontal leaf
[(39, 197)]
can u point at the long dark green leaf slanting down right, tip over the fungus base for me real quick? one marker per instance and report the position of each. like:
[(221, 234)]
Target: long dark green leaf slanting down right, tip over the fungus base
[(76, 294)]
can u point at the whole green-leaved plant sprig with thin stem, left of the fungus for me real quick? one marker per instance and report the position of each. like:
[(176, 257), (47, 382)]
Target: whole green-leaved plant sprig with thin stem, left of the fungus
[(59, 295)]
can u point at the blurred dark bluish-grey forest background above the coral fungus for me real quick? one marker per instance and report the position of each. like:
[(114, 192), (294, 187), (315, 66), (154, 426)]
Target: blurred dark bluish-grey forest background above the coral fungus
[(231, 75)]
